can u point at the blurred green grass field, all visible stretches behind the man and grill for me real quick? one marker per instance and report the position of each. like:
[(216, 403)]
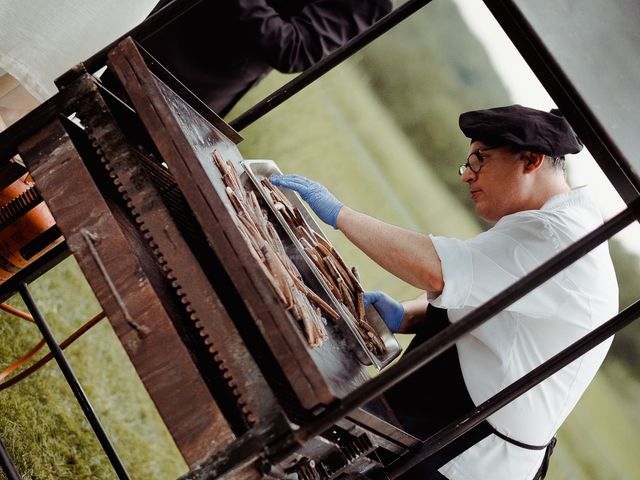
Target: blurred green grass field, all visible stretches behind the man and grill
[(335, 131)]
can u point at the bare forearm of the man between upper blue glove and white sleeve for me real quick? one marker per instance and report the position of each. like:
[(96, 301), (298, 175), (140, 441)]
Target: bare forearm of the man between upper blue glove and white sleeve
[(408, 255)]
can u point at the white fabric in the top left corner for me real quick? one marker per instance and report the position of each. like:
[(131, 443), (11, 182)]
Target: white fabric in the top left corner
[(41, 39)]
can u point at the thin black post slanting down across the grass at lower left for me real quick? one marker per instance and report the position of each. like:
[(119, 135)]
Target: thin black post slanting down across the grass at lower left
[(73, 383)]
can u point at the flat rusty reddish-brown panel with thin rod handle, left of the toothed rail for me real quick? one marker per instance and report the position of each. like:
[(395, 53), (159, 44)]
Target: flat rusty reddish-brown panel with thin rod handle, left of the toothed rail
[(112, 268)]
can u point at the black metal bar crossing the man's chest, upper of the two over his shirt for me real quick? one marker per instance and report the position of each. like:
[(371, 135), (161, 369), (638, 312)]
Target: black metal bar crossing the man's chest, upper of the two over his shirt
[(431, 348)]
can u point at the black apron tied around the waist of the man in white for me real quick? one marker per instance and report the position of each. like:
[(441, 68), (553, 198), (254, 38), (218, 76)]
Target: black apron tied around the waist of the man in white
[(435, 396)]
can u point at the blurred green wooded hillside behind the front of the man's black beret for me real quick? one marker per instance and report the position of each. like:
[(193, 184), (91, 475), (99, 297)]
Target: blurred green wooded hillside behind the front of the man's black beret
[(426, 72)]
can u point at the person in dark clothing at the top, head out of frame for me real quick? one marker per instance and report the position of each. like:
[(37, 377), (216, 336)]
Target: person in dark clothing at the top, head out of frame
[(220, 49)]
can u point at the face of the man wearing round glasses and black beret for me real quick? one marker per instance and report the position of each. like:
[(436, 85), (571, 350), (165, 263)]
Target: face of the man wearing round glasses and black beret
[(497, 188)]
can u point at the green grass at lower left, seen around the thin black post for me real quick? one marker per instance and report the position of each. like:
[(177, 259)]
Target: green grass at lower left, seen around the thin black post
[(41, 422)]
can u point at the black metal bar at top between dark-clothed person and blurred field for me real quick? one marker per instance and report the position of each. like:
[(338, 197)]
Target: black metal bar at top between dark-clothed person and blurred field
[(323, 66)]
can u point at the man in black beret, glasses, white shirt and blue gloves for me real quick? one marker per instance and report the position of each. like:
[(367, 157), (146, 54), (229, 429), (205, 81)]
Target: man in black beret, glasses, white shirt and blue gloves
[(515, 176)]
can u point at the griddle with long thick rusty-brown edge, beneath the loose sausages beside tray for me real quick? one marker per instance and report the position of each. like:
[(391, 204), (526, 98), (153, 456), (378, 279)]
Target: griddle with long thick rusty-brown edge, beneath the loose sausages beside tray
[(186, 142)]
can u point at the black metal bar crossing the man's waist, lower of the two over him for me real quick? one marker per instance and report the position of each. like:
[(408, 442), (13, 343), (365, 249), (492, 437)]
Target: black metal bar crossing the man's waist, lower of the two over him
[(462, 425)]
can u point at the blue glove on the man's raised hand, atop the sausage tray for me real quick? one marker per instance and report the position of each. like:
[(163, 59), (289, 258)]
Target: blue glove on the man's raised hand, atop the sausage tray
[(320, 200)]
